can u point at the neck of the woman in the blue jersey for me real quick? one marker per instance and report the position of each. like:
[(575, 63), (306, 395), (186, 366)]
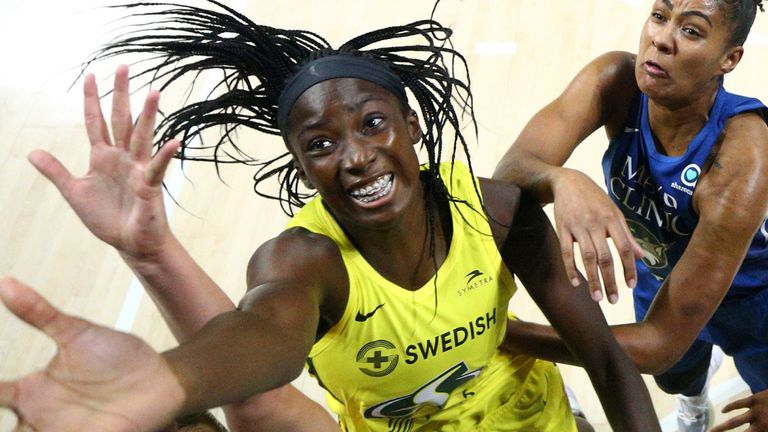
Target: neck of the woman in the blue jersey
[(675, 125)]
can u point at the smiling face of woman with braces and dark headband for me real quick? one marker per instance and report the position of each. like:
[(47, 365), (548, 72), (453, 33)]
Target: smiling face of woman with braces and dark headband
[(353, 142)]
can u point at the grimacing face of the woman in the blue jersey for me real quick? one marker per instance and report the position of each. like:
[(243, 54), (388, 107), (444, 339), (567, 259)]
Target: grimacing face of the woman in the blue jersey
[(684, 50)]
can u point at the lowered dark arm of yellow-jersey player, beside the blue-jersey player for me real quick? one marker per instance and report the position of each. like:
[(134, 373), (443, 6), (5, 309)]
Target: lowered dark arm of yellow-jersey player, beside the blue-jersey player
[(529, 248)]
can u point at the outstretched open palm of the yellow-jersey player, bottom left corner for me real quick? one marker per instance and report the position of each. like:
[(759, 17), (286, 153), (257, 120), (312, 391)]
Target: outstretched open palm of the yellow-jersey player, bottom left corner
[(99, 380)]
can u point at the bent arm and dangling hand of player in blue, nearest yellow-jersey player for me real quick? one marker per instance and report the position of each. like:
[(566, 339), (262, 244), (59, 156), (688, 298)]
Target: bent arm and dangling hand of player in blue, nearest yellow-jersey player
[(599, 95)]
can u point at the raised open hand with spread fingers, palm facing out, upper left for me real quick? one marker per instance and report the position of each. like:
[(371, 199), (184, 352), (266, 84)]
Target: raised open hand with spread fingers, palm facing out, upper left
[(119, 199)]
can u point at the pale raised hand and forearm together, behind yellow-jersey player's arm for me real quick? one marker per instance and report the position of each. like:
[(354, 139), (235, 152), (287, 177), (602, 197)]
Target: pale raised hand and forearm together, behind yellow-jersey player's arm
[(120, 201)]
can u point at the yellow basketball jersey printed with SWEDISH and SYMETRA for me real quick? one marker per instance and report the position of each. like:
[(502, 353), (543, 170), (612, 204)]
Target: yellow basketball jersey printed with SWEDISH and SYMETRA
[(428, 360)]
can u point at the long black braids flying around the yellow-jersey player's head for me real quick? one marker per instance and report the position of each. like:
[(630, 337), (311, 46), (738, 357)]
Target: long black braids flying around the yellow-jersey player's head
[(255, 62)]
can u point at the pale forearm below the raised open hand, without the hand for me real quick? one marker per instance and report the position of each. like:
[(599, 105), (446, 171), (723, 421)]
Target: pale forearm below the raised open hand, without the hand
[(185, 295)]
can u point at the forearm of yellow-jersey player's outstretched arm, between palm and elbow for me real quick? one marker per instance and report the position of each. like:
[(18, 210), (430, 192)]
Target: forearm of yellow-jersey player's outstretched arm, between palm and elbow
[(236, 355)]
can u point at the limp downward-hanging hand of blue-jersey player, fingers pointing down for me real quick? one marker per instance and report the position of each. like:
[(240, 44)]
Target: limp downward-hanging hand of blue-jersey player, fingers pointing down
[(584, 214)]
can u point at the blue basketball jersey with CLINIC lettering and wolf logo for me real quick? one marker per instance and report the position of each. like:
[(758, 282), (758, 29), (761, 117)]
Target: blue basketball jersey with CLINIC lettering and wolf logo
[(655, 191)]
